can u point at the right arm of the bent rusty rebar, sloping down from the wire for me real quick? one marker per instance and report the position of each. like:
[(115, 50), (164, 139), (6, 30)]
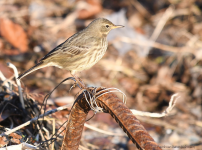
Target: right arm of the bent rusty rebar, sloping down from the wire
[(127, 121)]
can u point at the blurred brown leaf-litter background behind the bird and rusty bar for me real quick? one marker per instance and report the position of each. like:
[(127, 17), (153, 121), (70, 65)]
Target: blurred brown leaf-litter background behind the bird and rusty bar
[(157, 54)]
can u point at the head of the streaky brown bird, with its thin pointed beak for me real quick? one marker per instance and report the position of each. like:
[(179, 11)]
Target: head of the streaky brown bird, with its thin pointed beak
[(103, 26)]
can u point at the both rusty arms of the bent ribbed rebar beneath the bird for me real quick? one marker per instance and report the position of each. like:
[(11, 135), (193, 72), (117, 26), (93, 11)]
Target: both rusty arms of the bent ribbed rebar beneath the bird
[(119, 111)]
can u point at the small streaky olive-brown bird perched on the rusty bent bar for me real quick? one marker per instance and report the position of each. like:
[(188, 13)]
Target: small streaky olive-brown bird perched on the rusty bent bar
[(80, 51)]
